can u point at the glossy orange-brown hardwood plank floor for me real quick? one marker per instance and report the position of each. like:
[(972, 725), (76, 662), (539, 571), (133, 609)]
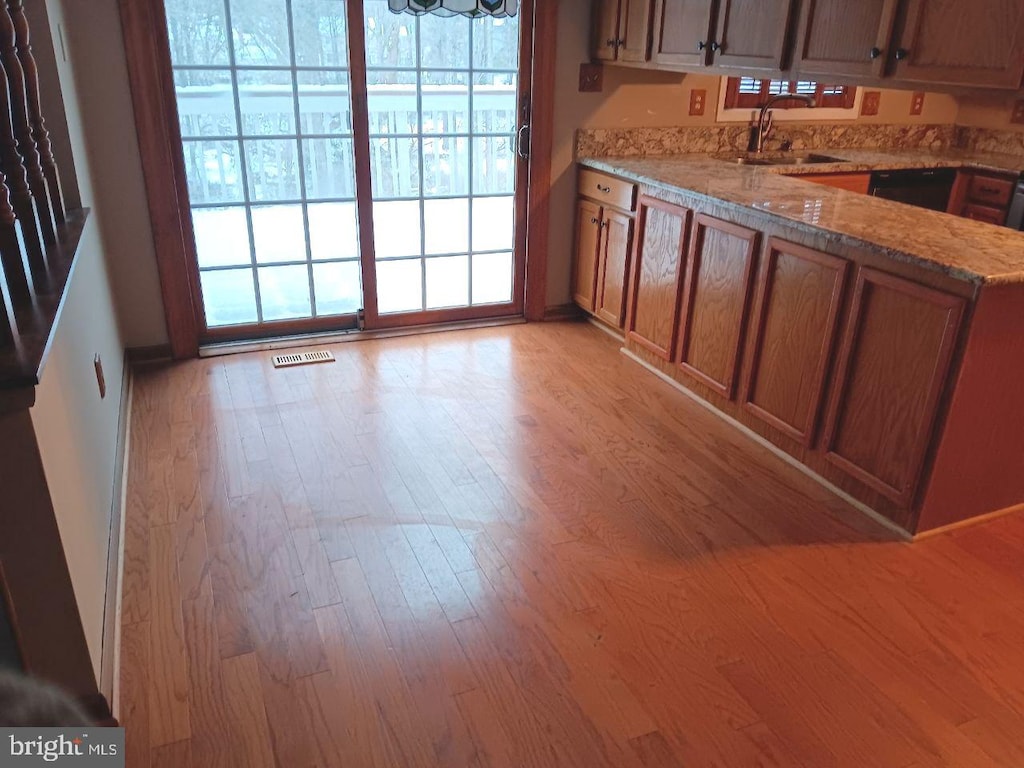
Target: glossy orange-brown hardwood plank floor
[(514, 547)]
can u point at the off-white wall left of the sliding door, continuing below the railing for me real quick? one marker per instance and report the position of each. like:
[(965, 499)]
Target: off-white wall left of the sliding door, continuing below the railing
[(110, 297)]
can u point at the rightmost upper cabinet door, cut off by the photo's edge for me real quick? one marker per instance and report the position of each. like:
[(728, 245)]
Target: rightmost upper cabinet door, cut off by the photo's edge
[(963, 44)]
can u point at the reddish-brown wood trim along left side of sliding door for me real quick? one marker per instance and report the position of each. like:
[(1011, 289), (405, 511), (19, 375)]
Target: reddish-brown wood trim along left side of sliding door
[(148, 55)]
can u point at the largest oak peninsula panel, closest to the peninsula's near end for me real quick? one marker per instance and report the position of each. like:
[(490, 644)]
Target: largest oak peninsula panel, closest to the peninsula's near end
[(894, 365)]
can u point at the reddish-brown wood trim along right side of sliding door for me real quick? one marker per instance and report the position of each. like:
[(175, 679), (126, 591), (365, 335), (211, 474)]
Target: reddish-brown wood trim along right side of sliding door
[(541, 143)]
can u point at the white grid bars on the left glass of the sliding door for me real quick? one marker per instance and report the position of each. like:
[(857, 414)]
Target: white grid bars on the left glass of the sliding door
[(247, 200)]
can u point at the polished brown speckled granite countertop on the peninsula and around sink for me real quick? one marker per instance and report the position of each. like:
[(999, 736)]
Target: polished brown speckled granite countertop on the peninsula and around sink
[(968, 250)]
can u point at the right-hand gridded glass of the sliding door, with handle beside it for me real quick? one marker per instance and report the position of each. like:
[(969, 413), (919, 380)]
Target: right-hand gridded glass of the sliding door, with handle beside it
[(443, 105)]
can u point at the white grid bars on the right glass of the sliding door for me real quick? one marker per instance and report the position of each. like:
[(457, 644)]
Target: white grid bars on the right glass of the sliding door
[(422, 197)]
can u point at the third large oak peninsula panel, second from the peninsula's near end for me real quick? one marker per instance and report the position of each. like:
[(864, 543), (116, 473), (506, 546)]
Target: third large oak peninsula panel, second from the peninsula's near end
[(793, 339)]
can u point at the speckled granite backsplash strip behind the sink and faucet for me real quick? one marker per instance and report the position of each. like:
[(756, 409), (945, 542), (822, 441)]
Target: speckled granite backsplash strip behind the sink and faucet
[(603, 143)]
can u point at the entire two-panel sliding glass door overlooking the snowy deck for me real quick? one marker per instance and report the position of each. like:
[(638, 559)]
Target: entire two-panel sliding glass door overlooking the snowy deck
[(292, 151)]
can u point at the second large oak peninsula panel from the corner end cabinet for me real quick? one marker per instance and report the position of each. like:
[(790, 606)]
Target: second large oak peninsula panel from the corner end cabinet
[(716, 302)]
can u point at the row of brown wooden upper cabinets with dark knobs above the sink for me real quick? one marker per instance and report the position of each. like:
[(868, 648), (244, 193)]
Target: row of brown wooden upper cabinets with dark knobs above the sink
[(948, 45)]
